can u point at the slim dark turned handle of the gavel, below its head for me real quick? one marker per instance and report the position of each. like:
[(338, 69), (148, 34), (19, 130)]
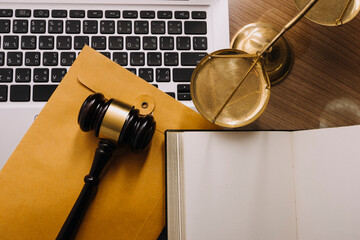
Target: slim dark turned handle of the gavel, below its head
[(102, 155)]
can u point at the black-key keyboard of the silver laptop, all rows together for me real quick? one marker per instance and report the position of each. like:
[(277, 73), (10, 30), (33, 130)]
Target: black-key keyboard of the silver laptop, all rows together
[(37, 47)]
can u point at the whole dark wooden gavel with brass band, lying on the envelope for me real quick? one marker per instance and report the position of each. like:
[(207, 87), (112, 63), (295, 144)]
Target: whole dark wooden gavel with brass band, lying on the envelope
[(116, 124)]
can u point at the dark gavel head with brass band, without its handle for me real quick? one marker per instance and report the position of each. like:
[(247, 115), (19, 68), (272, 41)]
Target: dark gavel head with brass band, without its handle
[(116, 121)]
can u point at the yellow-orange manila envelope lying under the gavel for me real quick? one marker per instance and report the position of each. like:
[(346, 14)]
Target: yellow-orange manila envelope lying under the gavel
[(43, 177)]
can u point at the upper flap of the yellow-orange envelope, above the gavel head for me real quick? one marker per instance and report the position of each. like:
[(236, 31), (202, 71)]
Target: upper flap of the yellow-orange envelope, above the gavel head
[(114, 81)]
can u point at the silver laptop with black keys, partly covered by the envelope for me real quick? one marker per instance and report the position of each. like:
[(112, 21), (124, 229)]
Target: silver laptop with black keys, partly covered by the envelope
[(159, 40)]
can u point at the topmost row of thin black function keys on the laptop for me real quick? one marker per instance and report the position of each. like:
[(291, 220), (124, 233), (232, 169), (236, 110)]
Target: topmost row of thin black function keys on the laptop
[(61, 13)]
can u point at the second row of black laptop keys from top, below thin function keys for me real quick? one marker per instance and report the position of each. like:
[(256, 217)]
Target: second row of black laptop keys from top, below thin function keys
[(106, 27)]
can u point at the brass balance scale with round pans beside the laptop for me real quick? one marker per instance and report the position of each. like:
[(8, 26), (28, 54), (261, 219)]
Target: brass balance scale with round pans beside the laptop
[(231, 87)]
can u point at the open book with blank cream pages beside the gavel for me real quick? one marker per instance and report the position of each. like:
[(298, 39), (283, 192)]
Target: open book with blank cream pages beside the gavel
[(272, 185)]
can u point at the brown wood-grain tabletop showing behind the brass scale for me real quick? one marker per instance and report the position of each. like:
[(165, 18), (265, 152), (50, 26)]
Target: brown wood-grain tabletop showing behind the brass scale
[(323, 88)]
